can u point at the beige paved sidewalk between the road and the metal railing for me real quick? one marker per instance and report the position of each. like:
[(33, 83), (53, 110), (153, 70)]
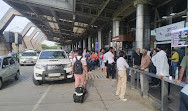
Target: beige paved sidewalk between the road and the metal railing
[(103, 90)]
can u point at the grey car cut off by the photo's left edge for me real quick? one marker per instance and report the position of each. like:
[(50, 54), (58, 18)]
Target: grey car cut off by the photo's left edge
[(9, 68)]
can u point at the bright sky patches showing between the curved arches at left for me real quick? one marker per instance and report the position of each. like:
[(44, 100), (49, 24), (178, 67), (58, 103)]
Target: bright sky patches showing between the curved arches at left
[(18, 23)]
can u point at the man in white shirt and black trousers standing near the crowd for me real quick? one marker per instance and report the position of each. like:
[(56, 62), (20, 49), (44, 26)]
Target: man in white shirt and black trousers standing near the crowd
[(109, 61)]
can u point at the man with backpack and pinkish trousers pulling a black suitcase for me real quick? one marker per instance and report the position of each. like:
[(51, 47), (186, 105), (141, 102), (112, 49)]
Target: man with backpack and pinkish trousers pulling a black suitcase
[(80, 79)]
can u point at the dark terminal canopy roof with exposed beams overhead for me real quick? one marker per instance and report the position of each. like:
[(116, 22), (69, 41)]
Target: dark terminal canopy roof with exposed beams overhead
[(69, 21)]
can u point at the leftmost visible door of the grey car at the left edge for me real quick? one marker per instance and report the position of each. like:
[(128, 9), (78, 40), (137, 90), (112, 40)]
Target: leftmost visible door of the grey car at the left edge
[(5, 69)]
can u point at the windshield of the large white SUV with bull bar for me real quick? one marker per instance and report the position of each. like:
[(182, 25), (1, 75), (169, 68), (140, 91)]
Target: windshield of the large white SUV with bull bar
[(53, 55)]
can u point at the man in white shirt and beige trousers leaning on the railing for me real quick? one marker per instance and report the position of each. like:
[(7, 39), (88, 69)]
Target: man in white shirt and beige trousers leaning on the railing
[(122, 76)]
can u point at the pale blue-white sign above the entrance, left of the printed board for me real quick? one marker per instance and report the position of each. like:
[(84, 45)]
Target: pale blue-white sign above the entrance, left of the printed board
[(164, 33)]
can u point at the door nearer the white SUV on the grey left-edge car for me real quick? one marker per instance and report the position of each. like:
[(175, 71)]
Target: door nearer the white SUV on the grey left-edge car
[(12, 66)]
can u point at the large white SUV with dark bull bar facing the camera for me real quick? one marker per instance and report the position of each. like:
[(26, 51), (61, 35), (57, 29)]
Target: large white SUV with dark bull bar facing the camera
[(52, 65)]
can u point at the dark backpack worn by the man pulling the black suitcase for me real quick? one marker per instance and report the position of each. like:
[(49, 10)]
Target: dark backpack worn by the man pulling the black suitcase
[(78, 68)]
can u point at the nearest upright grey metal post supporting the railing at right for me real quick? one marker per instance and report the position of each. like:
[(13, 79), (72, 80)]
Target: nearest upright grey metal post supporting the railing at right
[(164, 95)]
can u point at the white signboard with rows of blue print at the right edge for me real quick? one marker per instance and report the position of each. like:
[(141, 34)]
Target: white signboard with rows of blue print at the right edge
[(179, 37)]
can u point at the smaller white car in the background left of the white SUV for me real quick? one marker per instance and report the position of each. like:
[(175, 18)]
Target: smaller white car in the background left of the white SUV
[(29, 57)]
